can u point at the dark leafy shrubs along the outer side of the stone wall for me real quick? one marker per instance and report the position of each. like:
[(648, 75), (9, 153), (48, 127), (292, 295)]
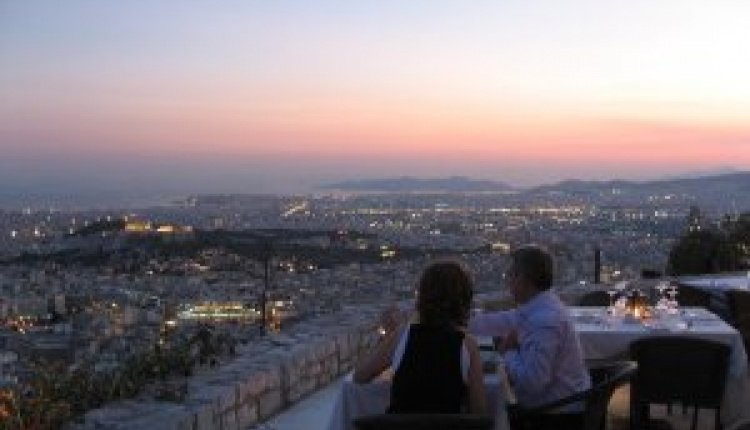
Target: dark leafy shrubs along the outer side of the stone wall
[(57, 395)]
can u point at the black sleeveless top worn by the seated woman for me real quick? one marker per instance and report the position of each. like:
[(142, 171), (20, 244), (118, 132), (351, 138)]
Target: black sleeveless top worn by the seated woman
[(428, 379)]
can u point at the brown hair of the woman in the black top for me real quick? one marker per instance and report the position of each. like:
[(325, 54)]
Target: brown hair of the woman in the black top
[(444, 294)]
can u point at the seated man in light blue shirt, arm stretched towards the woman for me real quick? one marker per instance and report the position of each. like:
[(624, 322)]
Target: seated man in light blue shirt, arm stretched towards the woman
[(540, 348)]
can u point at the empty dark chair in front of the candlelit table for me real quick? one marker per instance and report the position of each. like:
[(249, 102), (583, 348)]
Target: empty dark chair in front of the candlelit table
[(677, 369)]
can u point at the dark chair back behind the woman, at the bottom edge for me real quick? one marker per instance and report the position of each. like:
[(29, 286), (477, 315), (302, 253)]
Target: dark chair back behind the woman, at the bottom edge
[(424, 422)]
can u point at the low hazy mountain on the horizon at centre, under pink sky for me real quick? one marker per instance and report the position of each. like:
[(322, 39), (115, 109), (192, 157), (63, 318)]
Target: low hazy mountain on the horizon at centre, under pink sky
[(411, 184)]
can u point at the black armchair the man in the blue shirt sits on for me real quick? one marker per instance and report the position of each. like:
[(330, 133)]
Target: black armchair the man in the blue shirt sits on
[(605, 380)]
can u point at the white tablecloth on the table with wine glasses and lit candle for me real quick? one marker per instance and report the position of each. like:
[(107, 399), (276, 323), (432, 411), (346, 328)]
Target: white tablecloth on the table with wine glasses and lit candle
[(603, 340)]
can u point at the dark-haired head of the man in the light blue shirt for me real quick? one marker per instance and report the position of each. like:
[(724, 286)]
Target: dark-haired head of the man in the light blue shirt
[(531, 271)]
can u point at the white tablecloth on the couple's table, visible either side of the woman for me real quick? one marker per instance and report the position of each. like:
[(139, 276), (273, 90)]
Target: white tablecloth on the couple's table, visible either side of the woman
[(354, 400)]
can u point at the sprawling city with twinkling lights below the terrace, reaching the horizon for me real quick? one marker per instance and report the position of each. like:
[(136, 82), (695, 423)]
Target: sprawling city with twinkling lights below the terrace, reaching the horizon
[(196, 279)]
